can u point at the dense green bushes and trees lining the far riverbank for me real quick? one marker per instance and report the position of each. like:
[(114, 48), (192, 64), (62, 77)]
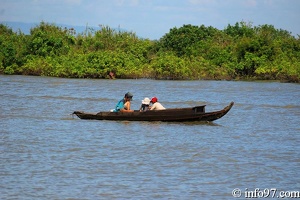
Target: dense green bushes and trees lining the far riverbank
[(241, 51)]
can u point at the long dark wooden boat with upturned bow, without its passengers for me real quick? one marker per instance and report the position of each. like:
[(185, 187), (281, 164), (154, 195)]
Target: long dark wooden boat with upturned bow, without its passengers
[(173, 115)]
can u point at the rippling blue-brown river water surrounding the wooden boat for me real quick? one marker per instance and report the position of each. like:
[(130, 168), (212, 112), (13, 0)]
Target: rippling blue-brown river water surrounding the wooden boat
[(46, 153)]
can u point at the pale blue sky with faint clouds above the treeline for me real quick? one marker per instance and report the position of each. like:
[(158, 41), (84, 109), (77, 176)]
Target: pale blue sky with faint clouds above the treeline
[(153, 19)]
